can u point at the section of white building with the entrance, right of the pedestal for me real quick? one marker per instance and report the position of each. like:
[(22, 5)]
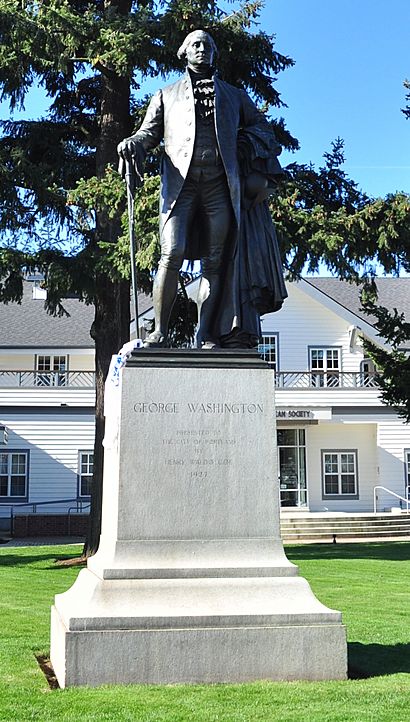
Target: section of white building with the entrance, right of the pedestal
[(336, 439)]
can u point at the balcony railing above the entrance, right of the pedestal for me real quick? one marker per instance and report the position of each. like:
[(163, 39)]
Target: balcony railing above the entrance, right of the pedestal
[(325, 380)]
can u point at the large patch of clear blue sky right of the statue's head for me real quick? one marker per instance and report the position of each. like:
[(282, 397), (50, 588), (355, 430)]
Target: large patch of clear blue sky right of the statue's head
[(351, 60)]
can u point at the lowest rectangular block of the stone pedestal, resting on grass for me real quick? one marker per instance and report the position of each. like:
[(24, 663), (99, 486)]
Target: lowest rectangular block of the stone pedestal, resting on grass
[(198, 655)]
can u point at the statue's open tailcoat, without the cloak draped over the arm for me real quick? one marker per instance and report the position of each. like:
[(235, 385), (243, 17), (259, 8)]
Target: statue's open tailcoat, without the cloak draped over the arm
[(171, 117)]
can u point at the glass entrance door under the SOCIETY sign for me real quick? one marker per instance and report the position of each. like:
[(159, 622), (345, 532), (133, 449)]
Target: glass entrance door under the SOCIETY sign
[(292, 467)]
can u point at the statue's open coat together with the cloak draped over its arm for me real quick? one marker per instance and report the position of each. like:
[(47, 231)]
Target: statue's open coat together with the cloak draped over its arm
[(253, 278)]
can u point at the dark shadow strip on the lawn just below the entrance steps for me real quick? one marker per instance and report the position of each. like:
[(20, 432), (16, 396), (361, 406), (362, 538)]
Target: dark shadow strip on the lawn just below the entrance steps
[(392, 551)]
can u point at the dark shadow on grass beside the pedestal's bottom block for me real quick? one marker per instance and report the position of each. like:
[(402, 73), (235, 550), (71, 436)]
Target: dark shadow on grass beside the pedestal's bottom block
[(377, 660)]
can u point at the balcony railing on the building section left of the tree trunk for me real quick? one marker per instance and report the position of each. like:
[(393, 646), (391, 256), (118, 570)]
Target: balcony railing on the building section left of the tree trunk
[(47, 379)]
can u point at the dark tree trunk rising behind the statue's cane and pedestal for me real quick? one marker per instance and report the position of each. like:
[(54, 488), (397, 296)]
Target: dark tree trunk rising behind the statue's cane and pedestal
[(111, 326)]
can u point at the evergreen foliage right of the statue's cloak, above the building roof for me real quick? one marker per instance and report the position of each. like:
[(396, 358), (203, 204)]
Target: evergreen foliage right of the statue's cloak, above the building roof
[(322, 217)]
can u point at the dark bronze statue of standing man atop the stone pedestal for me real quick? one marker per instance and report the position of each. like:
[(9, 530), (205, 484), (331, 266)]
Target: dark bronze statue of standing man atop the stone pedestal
[(218, 167)]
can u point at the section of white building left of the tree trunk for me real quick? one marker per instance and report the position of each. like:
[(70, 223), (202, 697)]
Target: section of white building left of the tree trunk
[(47, 402)]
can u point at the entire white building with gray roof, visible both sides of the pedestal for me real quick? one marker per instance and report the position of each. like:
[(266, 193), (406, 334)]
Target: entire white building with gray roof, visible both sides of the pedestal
[(336, 439)]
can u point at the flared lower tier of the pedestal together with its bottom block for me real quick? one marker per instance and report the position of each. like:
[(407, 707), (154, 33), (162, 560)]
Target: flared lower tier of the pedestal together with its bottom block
[(194, 630)]
